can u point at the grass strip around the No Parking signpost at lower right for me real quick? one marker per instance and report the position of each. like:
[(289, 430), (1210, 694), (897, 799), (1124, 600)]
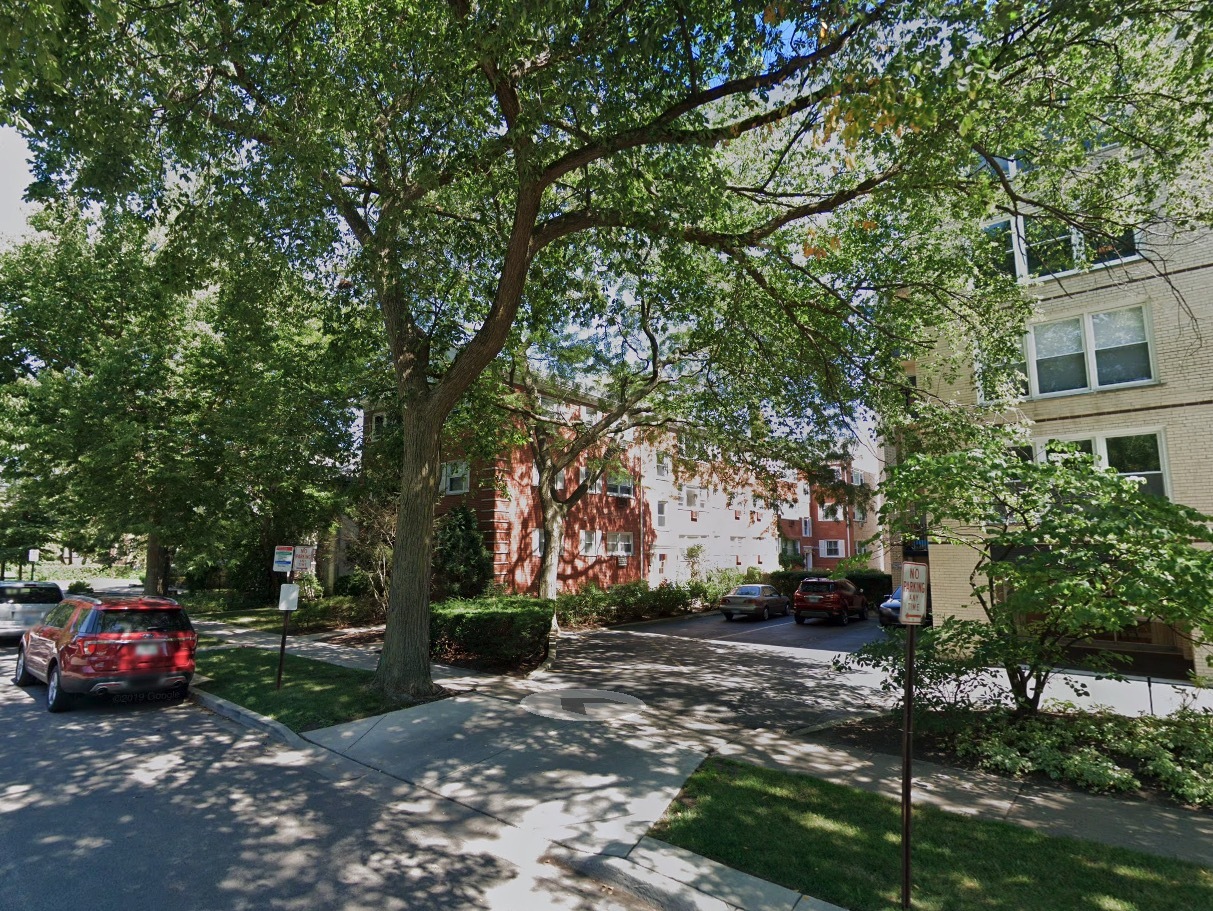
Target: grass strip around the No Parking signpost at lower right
[(844, 846)]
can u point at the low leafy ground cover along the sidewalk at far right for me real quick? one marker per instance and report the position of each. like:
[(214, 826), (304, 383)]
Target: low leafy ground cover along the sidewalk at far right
[(1100, 751)]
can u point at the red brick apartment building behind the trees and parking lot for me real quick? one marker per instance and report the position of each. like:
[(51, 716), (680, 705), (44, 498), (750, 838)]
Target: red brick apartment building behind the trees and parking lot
[(643, 522)]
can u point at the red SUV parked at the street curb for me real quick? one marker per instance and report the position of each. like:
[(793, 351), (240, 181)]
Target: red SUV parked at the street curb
[(110, 644)]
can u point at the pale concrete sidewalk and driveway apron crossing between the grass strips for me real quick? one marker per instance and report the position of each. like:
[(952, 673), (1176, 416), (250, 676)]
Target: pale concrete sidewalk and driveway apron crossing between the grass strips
[(593, 788)]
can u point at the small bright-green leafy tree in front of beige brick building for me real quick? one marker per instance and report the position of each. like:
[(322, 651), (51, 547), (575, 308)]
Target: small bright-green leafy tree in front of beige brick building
[(1066, 551)]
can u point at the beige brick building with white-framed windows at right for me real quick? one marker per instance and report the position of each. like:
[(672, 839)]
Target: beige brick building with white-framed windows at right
[(1119, 360)]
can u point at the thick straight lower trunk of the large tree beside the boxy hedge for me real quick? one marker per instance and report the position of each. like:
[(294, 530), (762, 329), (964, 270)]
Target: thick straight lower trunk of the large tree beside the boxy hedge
[(405, 664)]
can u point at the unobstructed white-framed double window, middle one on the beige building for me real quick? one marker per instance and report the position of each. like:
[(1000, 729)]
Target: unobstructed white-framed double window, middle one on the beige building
[(1095, 351)]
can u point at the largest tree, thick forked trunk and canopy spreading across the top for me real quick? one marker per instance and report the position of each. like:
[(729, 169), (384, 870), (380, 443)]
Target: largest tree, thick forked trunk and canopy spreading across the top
[(457, 158)]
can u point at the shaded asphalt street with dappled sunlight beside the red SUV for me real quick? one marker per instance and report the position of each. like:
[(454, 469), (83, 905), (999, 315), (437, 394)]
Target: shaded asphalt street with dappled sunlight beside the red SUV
[(170, 808)]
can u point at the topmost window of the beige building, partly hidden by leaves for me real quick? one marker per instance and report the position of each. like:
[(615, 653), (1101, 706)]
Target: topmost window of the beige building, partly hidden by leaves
[(1039, 246)]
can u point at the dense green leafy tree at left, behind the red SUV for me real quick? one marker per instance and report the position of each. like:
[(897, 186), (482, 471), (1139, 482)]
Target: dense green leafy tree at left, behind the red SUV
[(192, 407)]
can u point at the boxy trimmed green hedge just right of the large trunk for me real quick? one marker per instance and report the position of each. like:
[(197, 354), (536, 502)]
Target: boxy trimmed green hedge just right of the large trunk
[(506, 631)]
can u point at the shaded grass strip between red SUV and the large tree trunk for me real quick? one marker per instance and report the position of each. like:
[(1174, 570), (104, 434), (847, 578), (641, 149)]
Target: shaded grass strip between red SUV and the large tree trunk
[(315, 694)]
